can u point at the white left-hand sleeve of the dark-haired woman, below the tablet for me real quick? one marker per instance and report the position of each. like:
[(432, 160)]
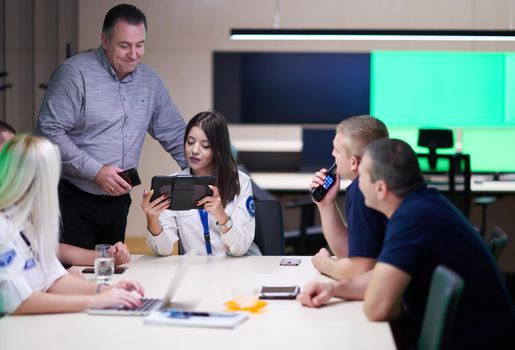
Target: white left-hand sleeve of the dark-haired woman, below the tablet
[(162, 244)]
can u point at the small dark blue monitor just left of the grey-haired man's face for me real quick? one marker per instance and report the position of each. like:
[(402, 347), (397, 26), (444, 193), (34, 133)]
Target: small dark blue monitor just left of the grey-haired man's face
[(317, 148)]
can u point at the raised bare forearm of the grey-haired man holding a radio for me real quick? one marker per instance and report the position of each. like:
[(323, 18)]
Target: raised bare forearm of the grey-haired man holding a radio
[(335, 231)]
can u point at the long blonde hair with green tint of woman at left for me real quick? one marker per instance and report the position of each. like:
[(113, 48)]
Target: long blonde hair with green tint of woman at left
[(30, 167)]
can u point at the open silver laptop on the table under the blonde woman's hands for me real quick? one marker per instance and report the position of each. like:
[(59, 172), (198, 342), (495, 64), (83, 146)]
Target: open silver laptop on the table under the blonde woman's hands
[(149, 304)]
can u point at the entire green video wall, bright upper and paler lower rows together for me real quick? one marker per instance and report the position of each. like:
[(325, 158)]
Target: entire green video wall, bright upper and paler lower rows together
[(473, 92)]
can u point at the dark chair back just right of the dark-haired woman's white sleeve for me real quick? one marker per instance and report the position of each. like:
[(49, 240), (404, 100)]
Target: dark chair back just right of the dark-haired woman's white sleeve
[(269, 236)]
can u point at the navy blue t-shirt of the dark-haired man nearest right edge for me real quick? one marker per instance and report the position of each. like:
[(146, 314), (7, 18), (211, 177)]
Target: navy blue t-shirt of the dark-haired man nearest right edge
[(426, 231)]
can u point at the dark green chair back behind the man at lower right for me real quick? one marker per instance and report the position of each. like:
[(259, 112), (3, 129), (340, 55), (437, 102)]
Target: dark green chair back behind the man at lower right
[(442, 302)]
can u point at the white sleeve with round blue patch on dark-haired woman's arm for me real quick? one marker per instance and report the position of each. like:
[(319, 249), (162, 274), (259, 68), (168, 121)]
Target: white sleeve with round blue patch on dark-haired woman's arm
[(239, 238)]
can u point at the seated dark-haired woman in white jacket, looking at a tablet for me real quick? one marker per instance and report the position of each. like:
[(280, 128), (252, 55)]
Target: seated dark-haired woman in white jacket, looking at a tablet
[(226, 223)]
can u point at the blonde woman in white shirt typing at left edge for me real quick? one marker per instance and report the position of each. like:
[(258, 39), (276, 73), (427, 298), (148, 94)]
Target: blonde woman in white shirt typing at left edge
[(32, 280)]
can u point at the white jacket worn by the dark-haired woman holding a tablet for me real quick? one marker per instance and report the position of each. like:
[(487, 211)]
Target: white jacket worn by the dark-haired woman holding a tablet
[(187, 225)]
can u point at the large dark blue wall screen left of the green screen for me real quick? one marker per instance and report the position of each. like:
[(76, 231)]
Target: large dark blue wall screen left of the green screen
[(291, 88)]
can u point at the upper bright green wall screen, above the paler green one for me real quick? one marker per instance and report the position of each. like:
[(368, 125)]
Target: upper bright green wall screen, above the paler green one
[(443, 88)]
